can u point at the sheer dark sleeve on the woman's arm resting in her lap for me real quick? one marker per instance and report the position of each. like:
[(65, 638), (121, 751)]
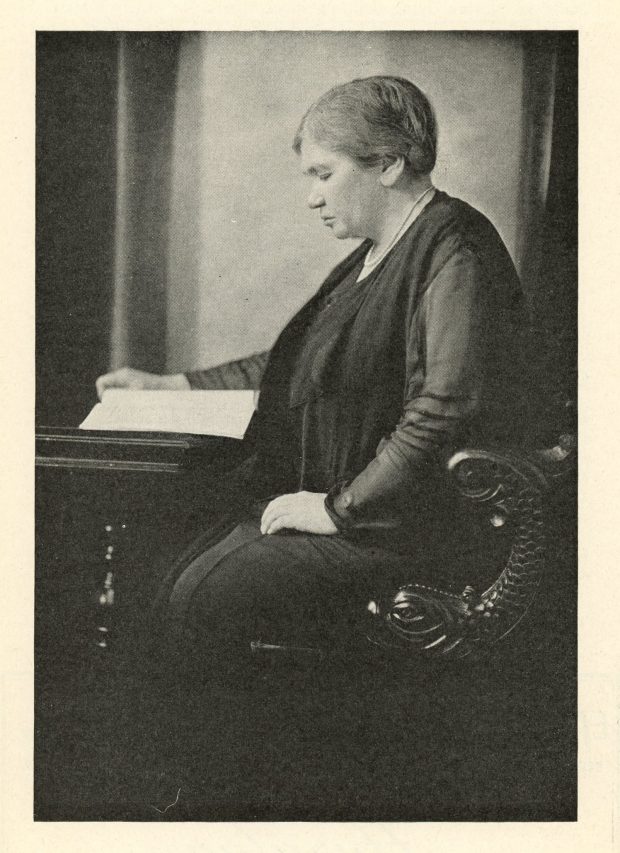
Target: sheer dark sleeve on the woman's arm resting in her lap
[(448, 339)]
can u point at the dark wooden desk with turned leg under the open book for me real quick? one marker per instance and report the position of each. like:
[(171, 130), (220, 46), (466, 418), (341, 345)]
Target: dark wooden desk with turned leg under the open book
[(113, 510)]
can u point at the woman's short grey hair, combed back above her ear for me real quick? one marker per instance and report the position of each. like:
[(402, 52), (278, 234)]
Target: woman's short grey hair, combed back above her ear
[(374, 119)]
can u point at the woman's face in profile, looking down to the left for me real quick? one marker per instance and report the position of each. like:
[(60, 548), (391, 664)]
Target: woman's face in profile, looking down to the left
[(349, 198)]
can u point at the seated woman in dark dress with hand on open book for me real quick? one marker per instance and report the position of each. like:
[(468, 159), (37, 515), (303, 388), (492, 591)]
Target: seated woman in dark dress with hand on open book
[(409, 349)]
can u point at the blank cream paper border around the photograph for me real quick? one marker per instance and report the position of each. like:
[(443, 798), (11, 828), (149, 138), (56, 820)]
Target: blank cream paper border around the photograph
[(599, 363)]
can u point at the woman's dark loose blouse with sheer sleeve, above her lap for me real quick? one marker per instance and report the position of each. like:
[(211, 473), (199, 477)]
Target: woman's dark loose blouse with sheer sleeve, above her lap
[(373, 383)]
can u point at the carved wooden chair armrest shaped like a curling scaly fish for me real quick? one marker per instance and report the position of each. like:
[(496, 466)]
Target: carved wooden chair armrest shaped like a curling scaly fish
[(510, 485)]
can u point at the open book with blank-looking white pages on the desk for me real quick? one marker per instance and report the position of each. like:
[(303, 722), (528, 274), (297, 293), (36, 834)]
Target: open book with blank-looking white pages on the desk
[(225, 413)]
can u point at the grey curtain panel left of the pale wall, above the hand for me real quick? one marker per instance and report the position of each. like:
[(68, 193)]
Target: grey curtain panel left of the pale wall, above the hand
[(145, 126)]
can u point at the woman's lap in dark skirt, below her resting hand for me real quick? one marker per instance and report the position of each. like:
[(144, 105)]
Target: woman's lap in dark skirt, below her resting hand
[(287, 587)]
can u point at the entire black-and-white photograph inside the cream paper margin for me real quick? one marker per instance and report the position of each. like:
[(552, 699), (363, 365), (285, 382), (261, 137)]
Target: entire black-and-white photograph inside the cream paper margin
[(306, 426)]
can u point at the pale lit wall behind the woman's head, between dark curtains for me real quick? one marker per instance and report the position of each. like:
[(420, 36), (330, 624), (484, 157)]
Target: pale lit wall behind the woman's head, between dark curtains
[(245, 251)]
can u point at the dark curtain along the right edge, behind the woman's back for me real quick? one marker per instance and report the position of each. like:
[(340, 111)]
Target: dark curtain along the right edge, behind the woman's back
[(550, 253)]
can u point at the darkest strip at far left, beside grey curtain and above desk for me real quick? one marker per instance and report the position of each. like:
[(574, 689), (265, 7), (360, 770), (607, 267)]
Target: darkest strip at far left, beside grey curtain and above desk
[(75, 218)]
